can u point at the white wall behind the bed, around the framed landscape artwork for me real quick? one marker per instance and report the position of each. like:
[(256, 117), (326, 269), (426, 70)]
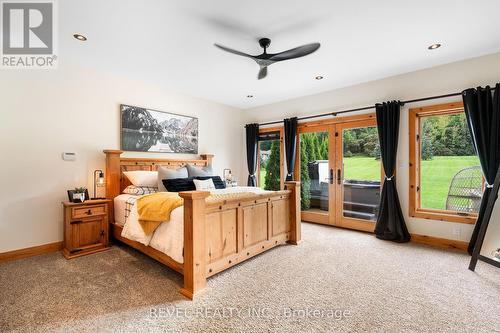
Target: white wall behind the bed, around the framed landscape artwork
[(45, 113)]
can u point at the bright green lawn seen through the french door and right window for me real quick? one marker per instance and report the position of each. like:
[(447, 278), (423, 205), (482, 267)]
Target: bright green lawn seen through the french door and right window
[(436, 175)]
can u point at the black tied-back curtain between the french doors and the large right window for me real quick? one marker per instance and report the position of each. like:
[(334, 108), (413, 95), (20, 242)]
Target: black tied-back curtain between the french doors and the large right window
[(390, 223)]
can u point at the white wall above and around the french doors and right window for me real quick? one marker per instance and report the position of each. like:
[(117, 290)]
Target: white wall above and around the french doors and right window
[(435, 81)]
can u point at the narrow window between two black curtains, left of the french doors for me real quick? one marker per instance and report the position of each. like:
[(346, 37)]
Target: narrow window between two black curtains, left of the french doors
[(270, 159)]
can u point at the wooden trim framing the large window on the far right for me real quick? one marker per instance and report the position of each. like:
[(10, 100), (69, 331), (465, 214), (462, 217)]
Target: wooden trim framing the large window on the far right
[(415, 114)]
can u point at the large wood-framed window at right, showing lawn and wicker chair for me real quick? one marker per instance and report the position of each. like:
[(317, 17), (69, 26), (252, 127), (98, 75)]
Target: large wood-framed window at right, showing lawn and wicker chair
[(445, 175)]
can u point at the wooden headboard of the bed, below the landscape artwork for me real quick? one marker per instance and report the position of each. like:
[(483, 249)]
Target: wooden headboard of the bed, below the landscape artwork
[(115, 165)]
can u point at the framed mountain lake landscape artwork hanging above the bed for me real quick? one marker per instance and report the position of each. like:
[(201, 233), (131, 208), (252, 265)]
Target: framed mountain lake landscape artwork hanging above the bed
[(156, 131)]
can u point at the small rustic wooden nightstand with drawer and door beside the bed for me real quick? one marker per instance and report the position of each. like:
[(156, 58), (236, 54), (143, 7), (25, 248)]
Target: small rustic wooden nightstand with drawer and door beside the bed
[(85, 227)]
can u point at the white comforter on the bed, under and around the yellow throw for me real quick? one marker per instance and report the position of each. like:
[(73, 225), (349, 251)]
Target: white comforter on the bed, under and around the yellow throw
[(168, 237)]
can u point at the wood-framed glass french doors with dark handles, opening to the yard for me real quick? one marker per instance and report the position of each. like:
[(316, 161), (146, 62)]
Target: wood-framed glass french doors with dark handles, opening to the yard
[(340, 172)]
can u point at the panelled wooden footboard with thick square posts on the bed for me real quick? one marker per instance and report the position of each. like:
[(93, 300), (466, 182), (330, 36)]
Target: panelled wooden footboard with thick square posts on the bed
[(221, 234)]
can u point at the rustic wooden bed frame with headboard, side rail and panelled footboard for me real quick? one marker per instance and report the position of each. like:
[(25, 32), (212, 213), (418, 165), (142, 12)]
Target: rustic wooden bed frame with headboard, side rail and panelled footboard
[(217, 234)]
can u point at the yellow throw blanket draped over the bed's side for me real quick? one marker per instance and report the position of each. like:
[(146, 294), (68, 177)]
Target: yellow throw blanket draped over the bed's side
[(155, 208)]
